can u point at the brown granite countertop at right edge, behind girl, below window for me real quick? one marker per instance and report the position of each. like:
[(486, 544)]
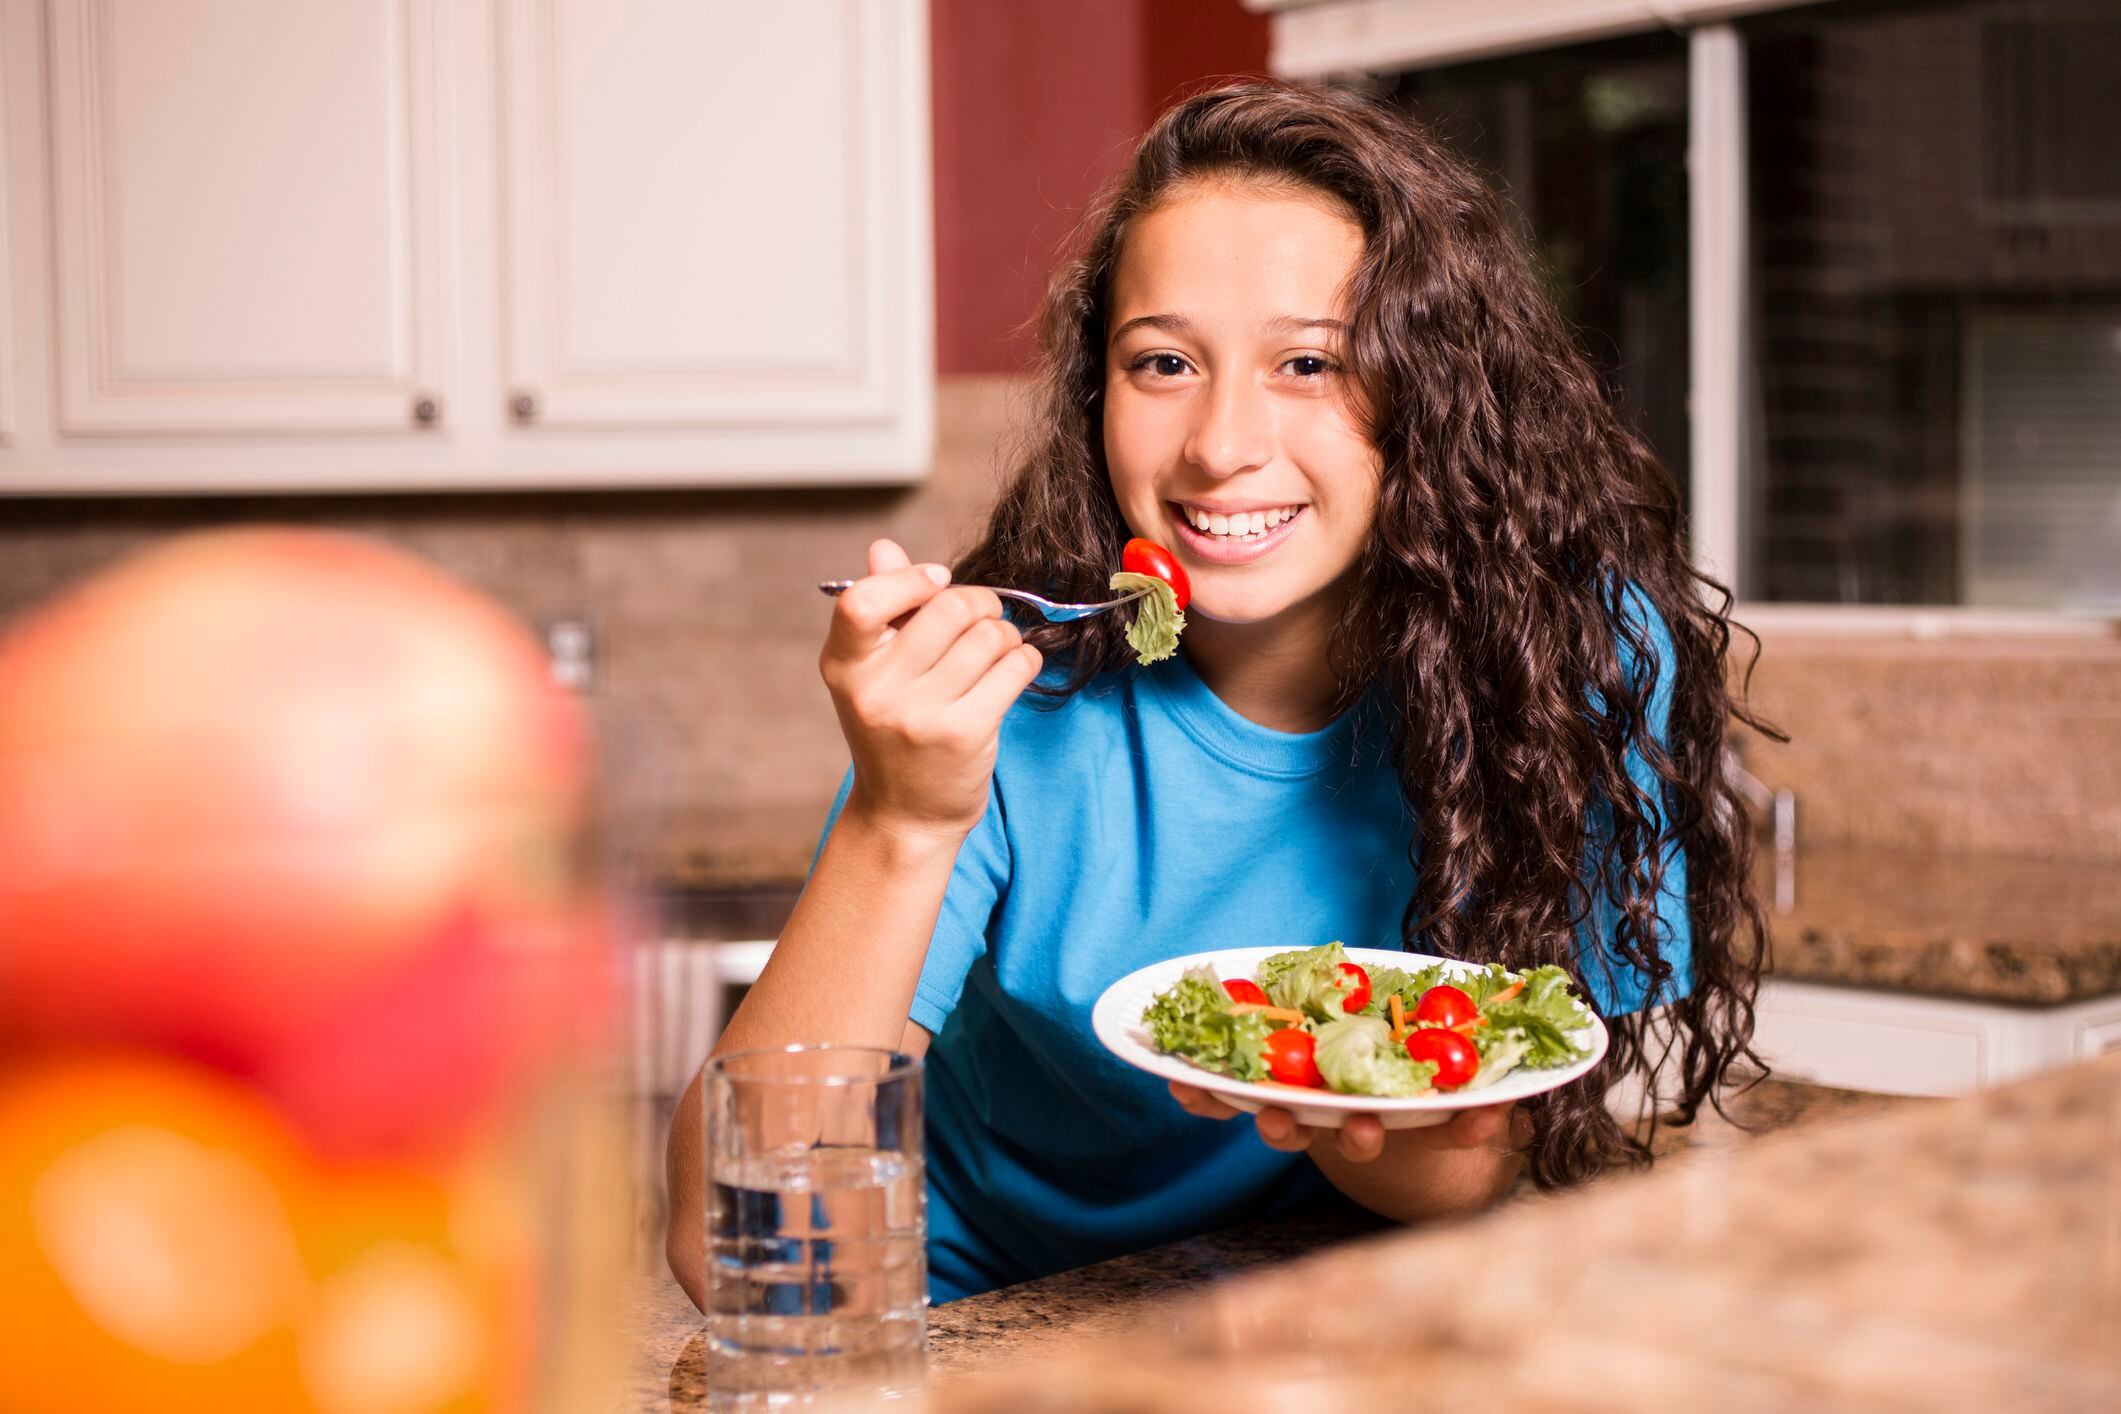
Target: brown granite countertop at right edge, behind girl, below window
[(1952, 925)]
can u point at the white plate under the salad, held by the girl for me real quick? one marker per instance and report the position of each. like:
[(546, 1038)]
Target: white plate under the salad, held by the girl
[(1117, 1021)]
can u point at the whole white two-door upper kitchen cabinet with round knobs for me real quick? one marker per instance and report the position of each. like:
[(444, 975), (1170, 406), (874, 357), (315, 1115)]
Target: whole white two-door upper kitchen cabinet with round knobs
[(425, 245)]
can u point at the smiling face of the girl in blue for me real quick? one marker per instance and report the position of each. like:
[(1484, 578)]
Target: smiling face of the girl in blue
[(1231, 427)]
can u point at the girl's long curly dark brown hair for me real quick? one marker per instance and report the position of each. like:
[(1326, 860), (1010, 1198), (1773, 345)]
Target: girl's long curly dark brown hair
[(1515, 514)]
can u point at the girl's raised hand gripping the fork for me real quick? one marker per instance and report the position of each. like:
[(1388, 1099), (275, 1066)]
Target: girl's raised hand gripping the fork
[(922, 677)]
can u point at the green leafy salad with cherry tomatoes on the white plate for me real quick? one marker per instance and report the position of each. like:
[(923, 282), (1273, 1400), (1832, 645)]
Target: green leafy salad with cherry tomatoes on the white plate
[(1316, 1019)]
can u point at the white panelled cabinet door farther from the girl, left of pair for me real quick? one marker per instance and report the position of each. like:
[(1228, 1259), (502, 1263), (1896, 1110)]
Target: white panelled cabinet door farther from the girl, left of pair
[(245, 211)]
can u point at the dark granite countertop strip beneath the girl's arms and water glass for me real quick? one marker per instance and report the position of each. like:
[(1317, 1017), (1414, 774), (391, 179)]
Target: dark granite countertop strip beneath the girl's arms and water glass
[(1146, 1292)]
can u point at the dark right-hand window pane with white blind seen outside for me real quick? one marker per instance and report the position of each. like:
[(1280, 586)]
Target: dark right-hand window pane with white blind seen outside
[(1938, 304)]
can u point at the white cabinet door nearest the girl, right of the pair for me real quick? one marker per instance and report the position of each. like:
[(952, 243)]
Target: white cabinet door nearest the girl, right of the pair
[(718, 228)]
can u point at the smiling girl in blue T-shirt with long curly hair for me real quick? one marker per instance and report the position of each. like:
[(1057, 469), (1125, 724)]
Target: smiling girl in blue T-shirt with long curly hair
[(1448, 684)]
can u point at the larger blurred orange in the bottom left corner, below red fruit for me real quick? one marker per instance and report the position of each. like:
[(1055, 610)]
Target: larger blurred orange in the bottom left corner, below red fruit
[(147, 1250)]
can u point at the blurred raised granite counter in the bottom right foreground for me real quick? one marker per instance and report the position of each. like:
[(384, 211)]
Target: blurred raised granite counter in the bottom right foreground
[(1957, 1254)]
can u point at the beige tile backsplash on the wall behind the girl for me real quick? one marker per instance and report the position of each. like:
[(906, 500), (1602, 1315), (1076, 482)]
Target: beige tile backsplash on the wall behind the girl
[(729, 752)]
